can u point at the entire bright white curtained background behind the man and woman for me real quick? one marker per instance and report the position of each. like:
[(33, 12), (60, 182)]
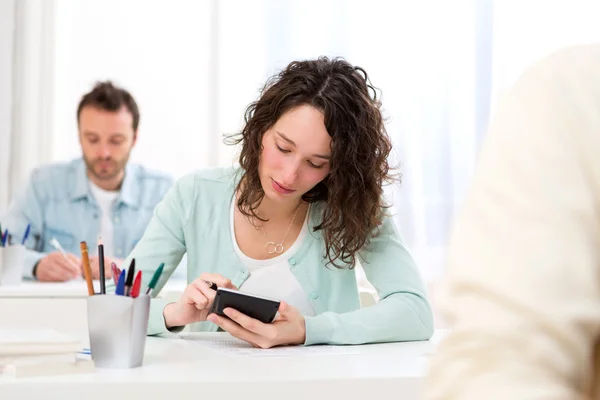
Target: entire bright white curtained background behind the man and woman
[(194, 66)]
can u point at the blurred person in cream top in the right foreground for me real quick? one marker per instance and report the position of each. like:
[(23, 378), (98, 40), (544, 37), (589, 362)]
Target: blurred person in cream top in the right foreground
[(522, 291)]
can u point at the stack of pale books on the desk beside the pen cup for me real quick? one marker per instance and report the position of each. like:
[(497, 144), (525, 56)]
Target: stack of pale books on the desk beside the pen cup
[(40, 352)]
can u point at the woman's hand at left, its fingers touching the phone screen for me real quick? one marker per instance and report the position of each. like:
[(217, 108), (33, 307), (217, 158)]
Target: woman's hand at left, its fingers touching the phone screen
[(194, 304)]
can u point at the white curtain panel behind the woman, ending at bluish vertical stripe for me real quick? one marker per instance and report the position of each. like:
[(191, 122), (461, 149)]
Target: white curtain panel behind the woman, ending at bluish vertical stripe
[(429, 58)]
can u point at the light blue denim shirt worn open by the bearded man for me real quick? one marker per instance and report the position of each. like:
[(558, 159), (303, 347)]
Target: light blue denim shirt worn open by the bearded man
[(57, 202)]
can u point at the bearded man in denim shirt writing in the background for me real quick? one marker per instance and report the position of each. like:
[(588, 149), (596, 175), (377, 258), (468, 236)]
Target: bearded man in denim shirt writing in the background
[(100, 195)]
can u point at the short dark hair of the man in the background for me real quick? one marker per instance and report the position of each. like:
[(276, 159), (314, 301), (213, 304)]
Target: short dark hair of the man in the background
[(109, 97)]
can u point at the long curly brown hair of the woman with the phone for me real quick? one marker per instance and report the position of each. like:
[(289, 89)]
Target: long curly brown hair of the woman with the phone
[(352, 193)]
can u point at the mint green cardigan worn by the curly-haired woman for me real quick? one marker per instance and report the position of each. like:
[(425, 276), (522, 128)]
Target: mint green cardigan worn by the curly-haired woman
[(193, 217)]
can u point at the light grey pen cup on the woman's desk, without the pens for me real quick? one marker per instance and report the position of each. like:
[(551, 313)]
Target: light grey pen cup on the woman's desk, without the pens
[(117, 326)]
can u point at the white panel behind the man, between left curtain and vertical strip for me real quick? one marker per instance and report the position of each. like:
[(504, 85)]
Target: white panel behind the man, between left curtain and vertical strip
[(158, 55)]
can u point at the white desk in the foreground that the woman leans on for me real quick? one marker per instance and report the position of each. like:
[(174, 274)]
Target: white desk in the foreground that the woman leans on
[(178, 367)]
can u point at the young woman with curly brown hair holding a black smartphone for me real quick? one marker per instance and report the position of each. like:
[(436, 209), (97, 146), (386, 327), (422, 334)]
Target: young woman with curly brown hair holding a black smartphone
[(292, 220)]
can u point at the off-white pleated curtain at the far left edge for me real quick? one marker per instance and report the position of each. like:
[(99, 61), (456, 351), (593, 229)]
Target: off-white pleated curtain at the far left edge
[(26, 78)]
